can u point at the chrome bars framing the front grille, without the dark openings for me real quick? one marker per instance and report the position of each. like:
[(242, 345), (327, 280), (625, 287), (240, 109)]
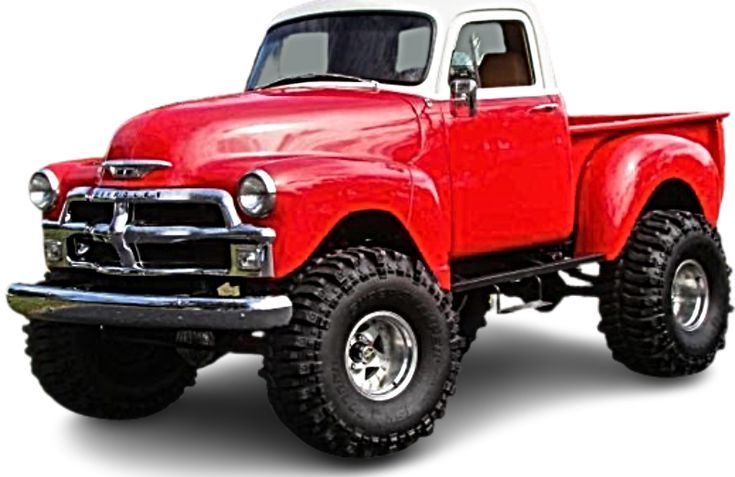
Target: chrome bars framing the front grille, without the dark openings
[(124, 237)]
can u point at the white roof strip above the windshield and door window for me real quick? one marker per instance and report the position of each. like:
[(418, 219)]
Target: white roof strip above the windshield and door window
[(444, 11)]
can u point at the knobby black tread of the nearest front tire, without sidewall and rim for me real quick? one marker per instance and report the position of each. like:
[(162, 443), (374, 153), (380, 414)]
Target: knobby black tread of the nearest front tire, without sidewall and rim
[(294, 380)]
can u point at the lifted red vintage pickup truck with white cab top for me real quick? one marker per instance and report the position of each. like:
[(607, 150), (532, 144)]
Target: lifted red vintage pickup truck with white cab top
[(388, 175)]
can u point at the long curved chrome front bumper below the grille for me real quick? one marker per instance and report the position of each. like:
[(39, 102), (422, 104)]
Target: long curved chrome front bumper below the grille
[(68, 305)]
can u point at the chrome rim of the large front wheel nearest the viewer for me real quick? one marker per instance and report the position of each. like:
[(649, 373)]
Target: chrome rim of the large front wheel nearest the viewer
[(381, 355)]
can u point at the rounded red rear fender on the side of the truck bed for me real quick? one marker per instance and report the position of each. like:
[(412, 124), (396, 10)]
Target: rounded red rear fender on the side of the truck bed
[(621, 177)]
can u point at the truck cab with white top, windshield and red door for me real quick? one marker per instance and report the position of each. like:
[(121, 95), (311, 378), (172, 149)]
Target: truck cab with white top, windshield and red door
[(487, 72)]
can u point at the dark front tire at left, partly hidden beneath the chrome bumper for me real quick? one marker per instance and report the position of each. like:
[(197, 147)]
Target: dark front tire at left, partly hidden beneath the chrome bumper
[(88, 371)]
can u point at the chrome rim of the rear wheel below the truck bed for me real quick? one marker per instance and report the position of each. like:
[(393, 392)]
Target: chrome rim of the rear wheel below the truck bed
[(690, 296)]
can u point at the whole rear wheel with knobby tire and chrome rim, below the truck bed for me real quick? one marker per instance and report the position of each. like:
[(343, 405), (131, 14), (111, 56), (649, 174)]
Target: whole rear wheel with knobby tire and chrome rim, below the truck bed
[(666, 301)]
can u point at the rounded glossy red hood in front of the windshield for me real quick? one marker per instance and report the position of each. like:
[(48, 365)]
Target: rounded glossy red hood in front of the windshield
[(252, 129)]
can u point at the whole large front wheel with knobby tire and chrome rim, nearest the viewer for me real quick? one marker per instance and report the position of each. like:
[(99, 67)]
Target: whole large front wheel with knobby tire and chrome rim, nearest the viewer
[(370, 358)]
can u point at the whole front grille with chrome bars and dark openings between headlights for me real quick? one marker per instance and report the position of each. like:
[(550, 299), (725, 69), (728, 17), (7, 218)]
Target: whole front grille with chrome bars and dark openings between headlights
[(155, 232)]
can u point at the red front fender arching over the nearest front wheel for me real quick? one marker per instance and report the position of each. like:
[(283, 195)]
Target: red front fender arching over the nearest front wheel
[(316, 194)]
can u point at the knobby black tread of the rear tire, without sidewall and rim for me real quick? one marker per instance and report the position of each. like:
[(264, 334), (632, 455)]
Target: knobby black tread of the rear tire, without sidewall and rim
[(633, 317)]
